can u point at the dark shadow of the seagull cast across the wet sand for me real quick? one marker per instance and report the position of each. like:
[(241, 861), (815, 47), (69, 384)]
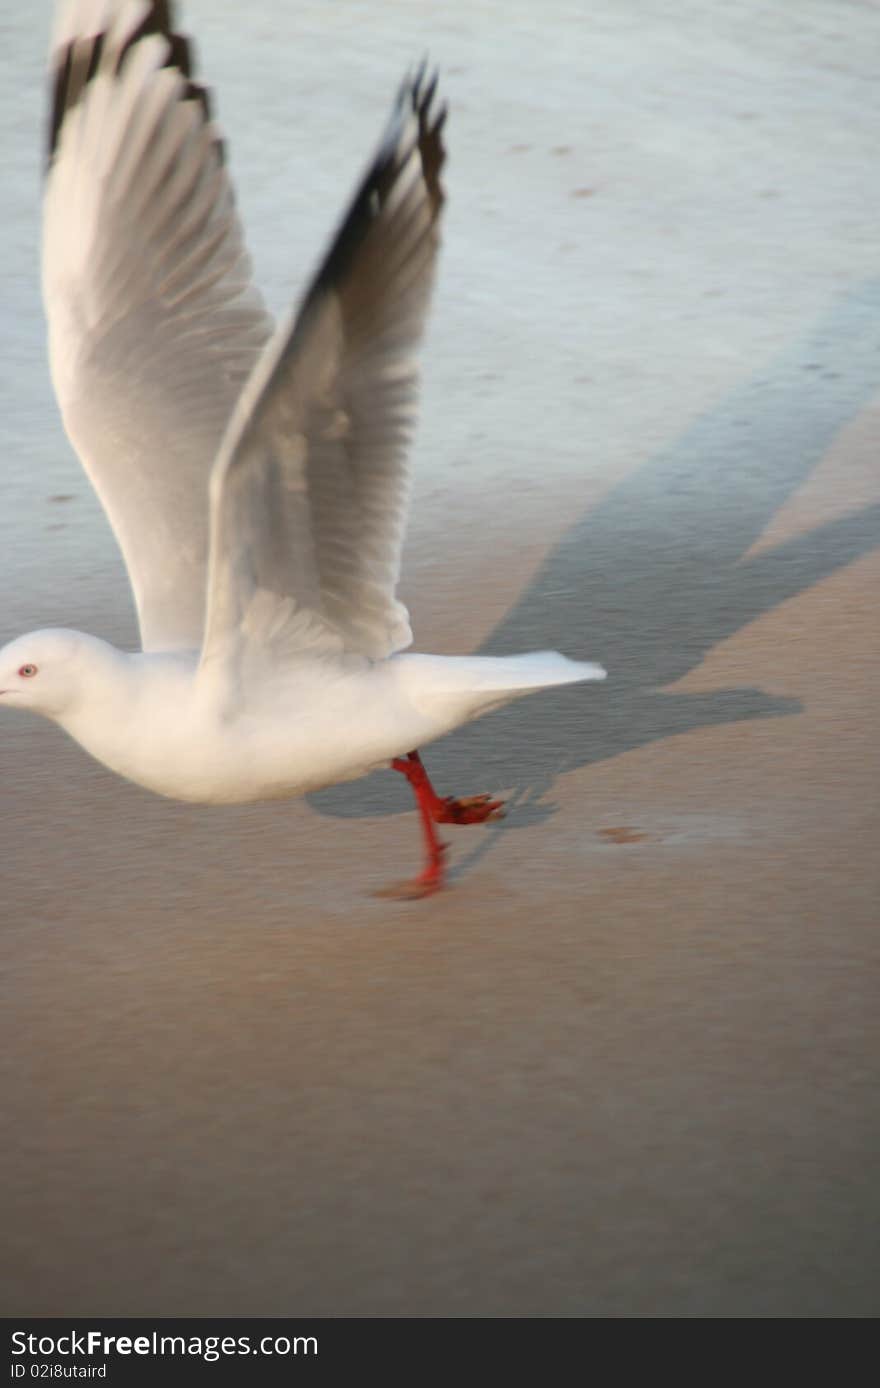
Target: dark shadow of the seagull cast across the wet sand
[(654, 577)]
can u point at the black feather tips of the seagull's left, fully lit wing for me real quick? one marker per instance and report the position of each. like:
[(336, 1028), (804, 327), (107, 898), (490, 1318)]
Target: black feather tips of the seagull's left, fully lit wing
[(71, 76)]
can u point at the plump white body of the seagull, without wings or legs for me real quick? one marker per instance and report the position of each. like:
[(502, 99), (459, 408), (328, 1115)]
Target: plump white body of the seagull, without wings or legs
[(194, 735)]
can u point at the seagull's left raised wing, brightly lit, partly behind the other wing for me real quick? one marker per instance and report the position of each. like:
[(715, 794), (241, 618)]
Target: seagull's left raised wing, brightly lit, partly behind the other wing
[(153, 324)]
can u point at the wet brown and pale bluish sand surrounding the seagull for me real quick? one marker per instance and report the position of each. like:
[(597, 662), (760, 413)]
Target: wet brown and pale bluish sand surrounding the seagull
[(628, 1064)]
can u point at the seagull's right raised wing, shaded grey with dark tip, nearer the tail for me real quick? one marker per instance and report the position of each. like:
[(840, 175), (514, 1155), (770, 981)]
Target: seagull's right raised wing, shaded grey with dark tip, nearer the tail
[(309, 495)]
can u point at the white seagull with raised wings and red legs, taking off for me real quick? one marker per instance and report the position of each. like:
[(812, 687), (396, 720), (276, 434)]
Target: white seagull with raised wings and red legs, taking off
[(256, 477)]
